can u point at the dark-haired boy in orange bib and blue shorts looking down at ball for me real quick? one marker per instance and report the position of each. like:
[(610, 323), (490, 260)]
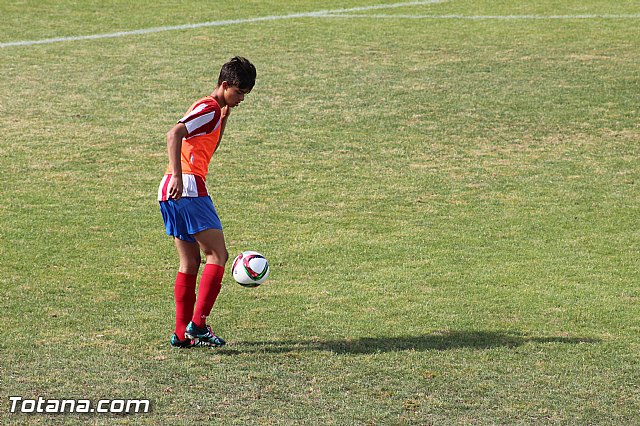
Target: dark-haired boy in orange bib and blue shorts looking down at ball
[(187, 210)]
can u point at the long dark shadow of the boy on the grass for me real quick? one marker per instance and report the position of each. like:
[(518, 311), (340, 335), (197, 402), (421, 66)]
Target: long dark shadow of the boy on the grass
[(437, 341)]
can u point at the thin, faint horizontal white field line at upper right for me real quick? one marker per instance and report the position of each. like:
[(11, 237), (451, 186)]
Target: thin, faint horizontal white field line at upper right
[(481, 17)]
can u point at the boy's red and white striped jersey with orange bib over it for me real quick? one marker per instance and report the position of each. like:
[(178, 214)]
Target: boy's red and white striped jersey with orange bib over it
[(202, 121)]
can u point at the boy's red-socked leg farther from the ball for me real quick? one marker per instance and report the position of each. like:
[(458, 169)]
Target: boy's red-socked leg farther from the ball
[(185, 285)]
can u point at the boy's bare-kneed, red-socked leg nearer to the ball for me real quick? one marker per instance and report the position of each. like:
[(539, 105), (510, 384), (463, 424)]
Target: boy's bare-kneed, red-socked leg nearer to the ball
[(211, 242)]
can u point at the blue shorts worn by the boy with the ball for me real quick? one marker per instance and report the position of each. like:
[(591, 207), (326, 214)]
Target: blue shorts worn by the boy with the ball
[(188, 216)]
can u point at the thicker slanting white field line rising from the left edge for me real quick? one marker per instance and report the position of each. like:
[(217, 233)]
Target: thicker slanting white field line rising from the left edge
[(319, 13)]
